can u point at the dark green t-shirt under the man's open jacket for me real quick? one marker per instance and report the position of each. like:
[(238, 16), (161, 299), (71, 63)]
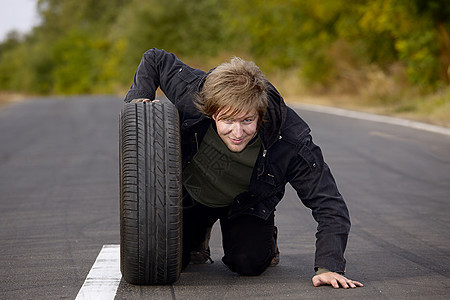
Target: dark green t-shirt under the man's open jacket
[(216, 175)]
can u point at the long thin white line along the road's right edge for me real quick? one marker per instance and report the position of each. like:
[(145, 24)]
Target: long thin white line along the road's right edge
[(373, 117)]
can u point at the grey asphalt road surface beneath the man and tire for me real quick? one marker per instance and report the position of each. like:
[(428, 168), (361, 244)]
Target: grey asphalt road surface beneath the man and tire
[(59, 205)]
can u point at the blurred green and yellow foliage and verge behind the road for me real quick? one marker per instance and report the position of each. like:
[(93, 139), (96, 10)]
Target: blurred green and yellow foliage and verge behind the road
[(392, 56)]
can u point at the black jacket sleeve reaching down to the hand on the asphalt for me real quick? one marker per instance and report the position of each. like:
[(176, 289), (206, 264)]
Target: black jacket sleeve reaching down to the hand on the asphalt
[(317, 189)]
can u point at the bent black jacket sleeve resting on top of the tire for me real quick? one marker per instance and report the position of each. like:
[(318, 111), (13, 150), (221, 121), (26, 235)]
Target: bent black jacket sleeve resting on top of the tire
[(159, 68)]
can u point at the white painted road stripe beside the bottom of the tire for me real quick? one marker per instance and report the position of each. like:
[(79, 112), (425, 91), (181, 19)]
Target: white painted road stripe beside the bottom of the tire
[(104, 277)]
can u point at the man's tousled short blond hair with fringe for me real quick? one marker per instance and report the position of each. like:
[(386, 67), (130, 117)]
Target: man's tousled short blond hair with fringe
[(235, 87)]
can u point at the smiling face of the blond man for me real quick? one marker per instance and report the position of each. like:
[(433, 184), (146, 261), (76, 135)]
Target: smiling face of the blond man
[(238, 131)]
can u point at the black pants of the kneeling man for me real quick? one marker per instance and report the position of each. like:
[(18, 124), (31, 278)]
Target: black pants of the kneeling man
[(248, 241)]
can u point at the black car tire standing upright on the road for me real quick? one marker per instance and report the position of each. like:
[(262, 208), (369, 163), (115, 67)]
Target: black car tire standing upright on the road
[(150, 193)]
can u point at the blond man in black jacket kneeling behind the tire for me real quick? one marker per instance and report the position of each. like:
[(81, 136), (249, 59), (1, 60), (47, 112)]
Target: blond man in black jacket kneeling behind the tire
[(240, 146)]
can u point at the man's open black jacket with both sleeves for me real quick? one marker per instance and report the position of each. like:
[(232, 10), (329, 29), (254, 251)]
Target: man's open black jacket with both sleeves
[(288, 154)]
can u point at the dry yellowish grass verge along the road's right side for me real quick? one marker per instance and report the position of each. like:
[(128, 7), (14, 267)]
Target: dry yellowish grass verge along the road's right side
[(381, 96)]
